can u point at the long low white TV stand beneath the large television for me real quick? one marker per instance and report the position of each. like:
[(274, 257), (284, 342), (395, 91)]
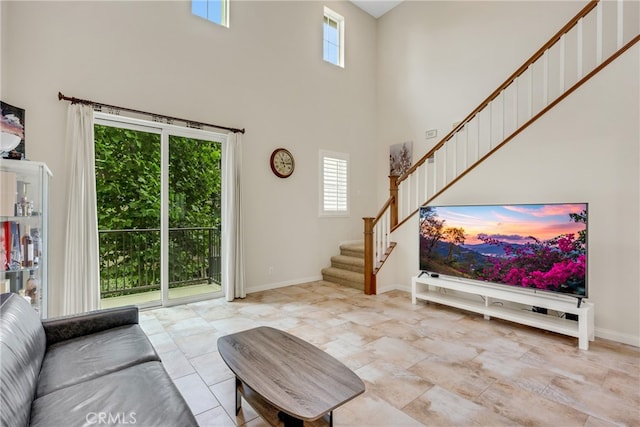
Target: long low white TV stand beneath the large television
[(469, 295)]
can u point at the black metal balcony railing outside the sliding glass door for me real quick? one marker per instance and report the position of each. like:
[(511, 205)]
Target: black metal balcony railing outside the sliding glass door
[(130, 259)]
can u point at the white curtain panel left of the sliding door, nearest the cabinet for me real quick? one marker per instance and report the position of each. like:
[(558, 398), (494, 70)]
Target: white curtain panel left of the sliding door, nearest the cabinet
[(81, 269)]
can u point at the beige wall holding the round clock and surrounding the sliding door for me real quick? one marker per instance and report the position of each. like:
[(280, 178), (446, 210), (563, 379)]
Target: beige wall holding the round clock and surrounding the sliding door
[(265, 73)]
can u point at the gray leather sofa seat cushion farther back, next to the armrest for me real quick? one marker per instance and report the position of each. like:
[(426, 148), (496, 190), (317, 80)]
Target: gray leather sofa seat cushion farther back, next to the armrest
[(80, 359)]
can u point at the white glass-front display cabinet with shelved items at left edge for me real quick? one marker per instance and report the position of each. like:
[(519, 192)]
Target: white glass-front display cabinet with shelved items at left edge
[(24, 207)]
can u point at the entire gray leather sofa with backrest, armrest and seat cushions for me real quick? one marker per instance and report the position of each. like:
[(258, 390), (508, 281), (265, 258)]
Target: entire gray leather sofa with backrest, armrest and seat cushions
[(97, 368)]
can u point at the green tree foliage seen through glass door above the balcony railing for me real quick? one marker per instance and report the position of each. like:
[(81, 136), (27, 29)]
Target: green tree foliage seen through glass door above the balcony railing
[(128, 180)]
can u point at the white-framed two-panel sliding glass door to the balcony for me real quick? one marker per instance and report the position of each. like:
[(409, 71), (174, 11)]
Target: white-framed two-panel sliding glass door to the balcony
[(158, 190)]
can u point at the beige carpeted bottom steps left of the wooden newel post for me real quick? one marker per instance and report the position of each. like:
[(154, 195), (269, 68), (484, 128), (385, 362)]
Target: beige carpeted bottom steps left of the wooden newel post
[(347, 269)]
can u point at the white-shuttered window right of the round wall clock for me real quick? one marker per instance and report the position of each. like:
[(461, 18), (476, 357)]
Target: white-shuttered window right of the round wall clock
[(342, 193)]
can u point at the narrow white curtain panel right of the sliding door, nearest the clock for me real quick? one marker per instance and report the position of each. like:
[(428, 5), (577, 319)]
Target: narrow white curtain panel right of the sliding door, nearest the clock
[(232, 237)]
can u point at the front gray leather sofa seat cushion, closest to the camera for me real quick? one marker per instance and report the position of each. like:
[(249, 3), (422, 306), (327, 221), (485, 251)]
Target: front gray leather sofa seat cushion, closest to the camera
[(141, 395)]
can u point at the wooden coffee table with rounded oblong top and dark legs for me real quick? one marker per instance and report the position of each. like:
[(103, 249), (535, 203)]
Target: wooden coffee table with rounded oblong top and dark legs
[(298, 379)]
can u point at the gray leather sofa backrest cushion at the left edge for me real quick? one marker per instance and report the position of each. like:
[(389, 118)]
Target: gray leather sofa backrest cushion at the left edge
[(22, 347)]
